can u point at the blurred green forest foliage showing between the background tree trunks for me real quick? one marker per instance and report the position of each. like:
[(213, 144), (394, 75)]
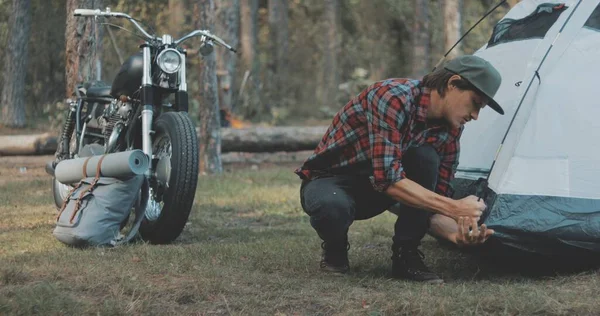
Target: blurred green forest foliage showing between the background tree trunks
[(375, 36)]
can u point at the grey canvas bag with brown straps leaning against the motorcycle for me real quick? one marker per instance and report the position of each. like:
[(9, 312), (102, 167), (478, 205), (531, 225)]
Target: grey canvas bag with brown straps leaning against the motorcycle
[(97, 208)]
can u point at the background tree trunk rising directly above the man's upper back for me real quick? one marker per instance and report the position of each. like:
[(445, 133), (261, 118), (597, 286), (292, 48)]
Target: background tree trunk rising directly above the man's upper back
[(421, 64)]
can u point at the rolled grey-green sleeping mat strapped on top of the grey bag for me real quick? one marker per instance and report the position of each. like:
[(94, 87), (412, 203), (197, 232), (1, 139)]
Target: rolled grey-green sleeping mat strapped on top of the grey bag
[(117, 165)]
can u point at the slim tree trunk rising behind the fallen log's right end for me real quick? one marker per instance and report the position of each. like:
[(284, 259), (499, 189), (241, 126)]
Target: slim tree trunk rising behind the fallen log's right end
[(332, 32)]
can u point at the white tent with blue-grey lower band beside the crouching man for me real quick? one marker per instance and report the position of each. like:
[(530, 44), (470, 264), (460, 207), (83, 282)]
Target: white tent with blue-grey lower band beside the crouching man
[(543, 155)]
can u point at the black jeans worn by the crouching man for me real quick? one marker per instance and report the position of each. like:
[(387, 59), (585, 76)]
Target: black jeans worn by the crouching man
[(334, 202)]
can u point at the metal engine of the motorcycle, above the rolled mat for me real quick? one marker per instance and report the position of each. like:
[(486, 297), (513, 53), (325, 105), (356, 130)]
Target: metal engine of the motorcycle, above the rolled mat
[(115, 118)]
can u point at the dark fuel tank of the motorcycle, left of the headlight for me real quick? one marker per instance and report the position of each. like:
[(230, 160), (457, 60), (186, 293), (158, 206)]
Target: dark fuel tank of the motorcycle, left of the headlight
[(129, 78)]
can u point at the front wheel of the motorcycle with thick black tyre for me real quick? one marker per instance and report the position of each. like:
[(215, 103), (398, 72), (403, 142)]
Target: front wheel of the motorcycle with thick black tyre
[(175, 148)]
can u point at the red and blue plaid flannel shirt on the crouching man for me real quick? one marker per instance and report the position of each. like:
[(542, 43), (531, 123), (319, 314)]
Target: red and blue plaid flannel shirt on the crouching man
[(376, 127)]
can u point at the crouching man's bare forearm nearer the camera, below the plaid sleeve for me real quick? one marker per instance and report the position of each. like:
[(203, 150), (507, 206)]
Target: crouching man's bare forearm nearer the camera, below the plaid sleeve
[(412, 194)]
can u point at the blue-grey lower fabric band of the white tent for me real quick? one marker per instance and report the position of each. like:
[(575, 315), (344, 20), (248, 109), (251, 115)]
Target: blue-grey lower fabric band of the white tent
[(548, 225)]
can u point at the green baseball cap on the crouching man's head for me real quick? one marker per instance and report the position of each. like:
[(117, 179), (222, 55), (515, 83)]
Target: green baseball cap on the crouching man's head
[(480, 73)]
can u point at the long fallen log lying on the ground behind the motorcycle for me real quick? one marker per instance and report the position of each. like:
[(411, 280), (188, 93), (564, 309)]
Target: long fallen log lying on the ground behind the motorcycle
[(251, 139)]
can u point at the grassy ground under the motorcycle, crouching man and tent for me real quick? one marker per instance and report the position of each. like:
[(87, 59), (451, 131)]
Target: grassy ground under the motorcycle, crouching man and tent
[(248, 249)]
